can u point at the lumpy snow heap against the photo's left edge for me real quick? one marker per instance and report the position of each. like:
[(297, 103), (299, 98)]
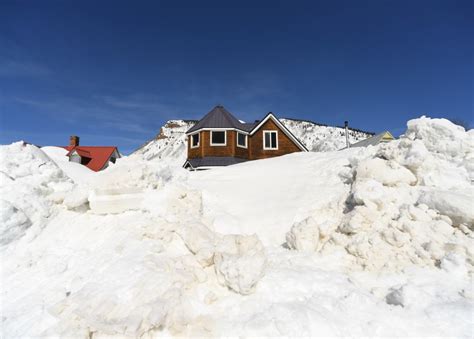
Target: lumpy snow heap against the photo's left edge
[(30, 184)]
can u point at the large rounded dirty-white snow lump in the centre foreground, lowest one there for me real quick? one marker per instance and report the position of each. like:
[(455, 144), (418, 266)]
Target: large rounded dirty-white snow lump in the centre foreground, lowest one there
[(240, 262)]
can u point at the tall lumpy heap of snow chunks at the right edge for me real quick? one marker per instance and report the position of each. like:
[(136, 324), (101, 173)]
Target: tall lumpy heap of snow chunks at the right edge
[(399, 211)]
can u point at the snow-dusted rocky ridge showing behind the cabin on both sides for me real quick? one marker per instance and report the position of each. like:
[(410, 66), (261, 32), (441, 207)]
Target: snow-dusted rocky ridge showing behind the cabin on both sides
[(171, 140)]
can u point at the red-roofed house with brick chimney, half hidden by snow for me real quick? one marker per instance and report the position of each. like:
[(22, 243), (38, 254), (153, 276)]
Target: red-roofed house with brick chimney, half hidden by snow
[(96, 158)]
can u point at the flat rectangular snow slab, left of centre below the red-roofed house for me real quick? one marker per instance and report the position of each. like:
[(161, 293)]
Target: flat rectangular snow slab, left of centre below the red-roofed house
[(105, 201)]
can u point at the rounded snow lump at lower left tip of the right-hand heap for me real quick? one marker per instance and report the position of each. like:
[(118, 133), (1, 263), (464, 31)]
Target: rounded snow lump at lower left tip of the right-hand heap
[(304, 235)]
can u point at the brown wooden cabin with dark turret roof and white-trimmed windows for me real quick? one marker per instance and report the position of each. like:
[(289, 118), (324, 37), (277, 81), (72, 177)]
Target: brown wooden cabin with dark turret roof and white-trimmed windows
[(220, 139)]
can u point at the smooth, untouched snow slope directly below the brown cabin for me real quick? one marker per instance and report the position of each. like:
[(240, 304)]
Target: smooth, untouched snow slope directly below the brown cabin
[(244, 198)]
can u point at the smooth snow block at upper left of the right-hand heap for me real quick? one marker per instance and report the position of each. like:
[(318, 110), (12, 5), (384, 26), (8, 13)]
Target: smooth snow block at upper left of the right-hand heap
[(389, 173)]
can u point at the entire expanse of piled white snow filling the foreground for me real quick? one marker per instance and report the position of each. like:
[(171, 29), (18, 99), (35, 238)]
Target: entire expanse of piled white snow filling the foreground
[(360, 242)]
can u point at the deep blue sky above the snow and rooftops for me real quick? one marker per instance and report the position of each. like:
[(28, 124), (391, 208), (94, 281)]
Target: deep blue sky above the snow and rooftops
[(113, 72)]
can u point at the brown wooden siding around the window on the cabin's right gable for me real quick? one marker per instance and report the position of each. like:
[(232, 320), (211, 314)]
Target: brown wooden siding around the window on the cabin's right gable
[(285, 144)]
